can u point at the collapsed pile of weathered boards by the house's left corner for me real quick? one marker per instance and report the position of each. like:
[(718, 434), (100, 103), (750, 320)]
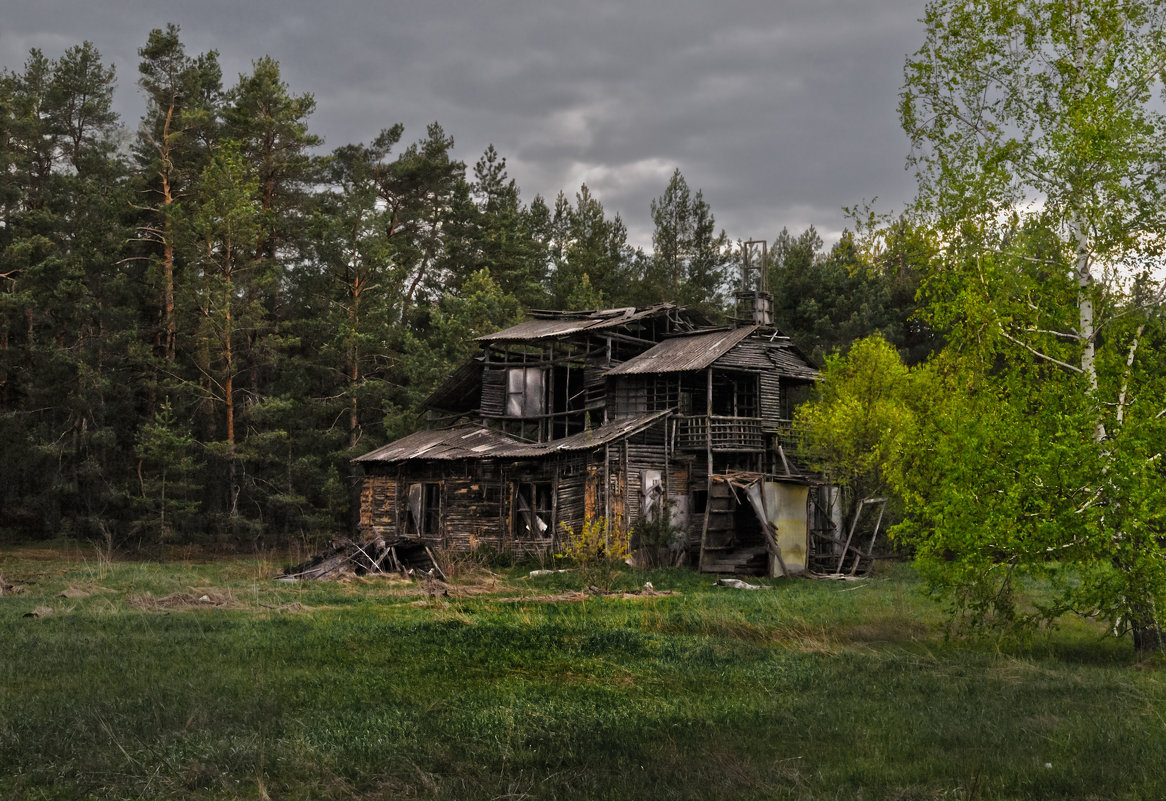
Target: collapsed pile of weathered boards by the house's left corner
[(348, 558)]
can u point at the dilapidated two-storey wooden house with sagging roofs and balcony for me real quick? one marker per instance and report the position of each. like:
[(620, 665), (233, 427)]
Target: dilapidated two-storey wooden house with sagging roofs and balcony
[(621, 414)]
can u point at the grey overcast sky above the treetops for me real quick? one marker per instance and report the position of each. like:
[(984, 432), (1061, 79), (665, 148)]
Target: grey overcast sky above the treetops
[(782, 111)]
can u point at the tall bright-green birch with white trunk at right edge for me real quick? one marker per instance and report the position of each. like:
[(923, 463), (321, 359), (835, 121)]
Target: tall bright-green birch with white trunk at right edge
[(1037, 139)]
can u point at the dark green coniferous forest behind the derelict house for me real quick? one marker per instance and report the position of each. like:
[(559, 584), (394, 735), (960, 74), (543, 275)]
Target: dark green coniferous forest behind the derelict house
[(205, 314)]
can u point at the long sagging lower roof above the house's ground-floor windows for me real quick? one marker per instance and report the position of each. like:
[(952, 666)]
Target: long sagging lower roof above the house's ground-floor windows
[(480, 444)]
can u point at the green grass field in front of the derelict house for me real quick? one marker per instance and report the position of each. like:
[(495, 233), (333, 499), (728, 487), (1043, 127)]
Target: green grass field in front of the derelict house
[(209, 680)]
